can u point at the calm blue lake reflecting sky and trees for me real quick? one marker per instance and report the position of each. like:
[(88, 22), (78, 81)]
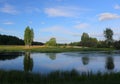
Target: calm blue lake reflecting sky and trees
[(87, 61)]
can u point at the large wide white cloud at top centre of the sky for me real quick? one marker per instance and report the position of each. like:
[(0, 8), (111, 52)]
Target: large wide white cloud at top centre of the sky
[(62, 11)]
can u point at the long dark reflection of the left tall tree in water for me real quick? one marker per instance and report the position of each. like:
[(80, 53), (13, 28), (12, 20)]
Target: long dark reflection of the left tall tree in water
[(28, 62)]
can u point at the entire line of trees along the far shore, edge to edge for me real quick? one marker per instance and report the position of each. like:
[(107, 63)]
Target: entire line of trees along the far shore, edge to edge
[(85, 41)]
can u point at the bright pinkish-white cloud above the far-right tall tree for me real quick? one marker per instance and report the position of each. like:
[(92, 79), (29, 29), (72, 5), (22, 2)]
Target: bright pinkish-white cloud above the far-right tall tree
[(108, 16)]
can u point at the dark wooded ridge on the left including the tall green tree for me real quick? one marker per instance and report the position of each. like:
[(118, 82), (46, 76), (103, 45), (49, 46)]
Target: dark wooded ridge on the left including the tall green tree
[(13, 40)]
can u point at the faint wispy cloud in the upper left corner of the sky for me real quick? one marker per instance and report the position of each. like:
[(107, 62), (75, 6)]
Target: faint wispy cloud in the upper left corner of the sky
[(7, 8)]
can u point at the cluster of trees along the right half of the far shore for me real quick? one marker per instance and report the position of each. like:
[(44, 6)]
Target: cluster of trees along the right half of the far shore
[(87, 41)]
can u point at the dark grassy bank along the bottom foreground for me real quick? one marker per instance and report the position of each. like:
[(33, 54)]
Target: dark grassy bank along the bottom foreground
[(17, 77)]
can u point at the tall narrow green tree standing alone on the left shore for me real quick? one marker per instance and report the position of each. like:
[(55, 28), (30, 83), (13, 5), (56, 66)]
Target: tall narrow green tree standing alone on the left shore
[(28, 36)]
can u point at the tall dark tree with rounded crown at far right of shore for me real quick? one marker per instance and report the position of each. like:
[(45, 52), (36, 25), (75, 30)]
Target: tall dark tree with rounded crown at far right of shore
[(108, 34)]
